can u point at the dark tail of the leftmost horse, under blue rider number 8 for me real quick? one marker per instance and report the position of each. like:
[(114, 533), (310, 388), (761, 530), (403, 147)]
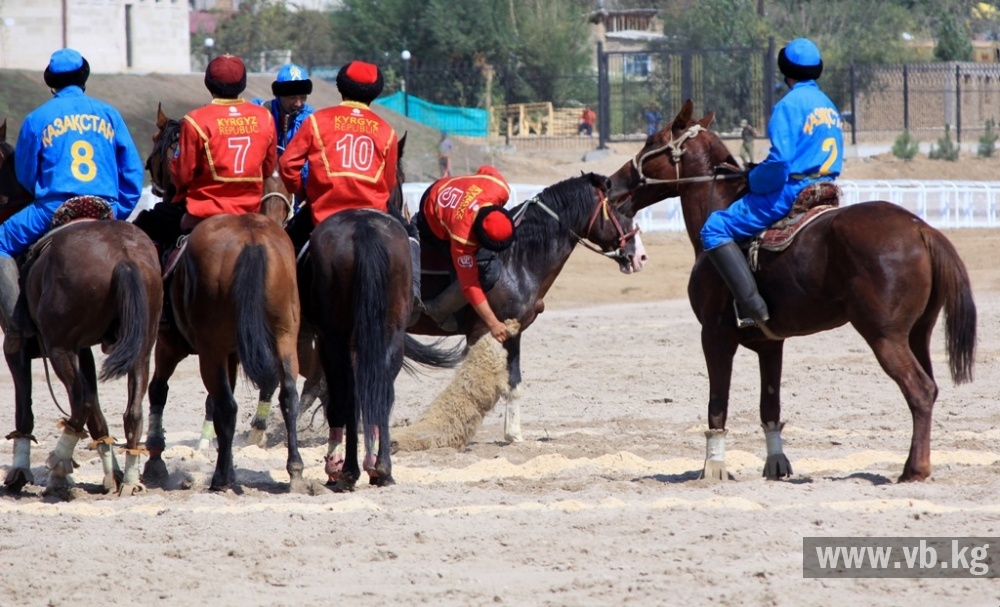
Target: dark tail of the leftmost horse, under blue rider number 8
[(133, 321)]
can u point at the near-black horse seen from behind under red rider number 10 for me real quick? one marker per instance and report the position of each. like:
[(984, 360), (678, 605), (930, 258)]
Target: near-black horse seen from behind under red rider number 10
[(361, 299)]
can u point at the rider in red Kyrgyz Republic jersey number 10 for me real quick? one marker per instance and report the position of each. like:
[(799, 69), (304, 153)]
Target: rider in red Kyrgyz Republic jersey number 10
[(353, 153)]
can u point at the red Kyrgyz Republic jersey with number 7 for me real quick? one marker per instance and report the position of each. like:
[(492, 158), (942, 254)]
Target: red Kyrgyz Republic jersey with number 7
[(226, 149)]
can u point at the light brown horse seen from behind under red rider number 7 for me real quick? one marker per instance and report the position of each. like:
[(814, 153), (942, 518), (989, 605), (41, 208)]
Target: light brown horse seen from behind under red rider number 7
[(235, 301)]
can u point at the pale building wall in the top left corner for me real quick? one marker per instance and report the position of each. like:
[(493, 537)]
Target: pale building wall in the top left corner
[(116, 36)]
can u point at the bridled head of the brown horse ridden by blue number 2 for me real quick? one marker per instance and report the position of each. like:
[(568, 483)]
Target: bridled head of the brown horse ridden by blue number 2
[(683, 153)]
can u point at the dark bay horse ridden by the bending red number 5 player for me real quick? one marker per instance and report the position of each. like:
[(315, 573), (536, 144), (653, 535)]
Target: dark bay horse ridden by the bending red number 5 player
[(549, 227)]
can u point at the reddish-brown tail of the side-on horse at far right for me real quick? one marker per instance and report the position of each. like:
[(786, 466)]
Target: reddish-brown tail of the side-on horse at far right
[(951, 281)]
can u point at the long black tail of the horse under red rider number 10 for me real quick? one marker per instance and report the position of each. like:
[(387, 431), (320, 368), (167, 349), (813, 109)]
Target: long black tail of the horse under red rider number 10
[(373, 386)]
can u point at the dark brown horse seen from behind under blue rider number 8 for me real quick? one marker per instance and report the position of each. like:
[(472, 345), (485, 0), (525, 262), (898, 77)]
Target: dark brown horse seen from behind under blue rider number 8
[(91, 282)]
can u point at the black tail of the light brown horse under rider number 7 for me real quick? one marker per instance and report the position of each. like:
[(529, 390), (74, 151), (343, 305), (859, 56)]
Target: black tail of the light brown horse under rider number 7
[(255, 342)]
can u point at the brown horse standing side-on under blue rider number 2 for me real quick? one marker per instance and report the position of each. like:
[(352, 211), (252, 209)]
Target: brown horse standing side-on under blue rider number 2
[(873, 265)]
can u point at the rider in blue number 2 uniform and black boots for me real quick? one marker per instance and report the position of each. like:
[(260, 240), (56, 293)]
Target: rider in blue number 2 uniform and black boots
[(807, 143)]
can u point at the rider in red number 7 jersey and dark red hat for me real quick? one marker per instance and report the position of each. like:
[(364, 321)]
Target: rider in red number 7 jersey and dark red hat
[(224, 151)]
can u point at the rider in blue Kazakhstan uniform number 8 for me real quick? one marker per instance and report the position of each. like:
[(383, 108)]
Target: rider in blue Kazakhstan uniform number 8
[(72, 145)]
